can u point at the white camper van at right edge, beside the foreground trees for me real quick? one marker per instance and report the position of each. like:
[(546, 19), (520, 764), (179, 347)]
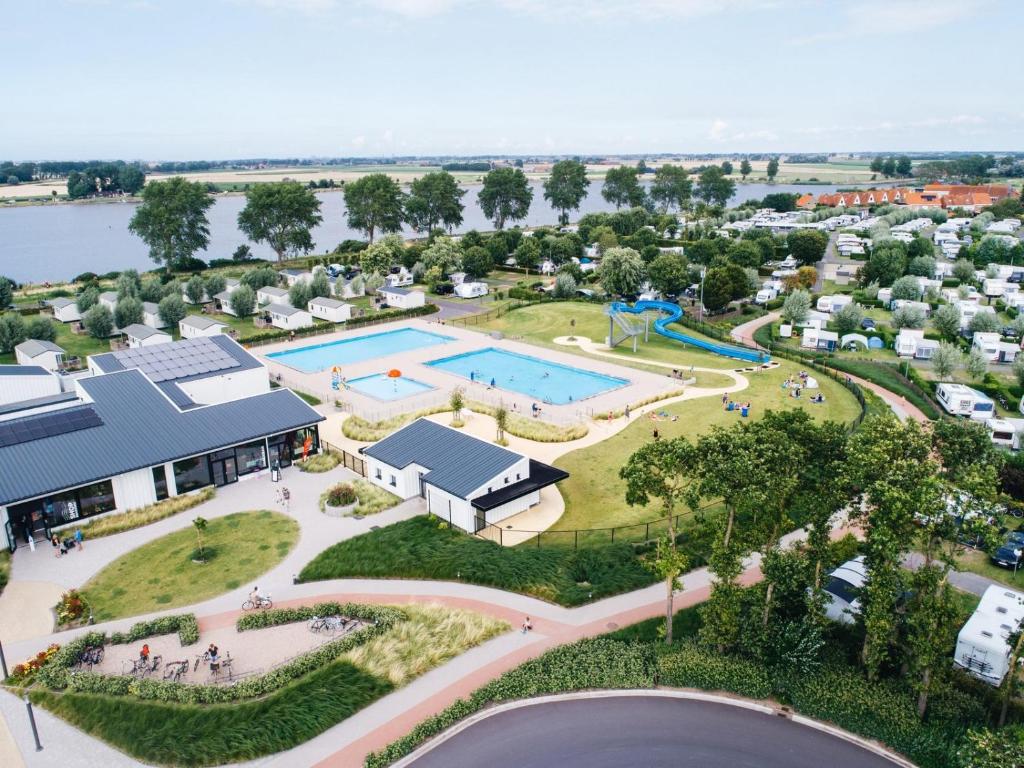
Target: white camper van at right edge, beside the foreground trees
[(982, 647)]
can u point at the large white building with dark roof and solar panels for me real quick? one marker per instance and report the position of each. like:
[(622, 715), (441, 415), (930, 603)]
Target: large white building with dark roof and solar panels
[(150, 423)]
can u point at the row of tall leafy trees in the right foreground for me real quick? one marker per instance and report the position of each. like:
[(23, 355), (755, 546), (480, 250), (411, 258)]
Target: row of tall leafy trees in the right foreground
[(894, 480)]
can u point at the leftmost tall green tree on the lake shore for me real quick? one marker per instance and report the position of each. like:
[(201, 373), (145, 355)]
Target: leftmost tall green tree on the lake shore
[(172, 220)]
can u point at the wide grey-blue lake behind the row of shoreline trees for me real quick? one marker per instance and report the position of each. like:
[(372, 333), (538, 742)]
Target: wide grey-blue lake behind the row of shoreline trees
[(57, 242)]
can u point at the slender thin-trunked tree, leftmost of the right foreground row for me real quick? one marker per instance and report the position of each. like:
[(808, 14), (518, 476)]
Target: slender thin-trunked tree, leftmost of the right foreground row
[(665, 471)]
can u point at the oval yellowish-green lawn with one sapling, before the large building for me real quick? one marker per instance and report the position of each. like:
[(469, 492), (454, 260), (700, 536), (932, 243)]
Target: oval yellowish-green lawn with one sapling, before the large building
[(161, 575)]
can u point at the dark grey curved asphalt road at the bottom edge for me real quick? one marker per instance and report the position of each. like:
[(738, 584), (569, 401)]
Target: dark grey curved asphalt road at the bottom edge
[(654, 733)]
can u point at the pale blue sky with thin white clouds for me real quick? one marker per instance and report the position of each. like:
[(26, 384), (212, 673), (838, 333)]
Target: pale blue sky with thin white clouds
[(228, 79)]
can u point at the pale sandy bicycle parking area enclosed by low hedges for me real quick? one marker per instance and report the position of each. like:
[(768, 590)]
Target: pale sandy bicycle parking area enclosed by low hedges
[(253, 653)]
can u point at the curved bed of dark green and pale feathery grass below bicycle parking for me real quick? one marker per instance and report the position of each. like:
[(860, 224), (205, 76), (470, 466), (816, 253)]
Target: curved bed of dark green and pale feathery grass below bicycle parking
[(215, 735)]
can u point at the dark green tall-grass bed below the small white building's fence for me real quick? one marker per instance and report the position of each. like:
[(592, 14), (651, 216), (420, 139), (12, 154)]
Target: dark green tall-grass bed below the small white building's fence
[(420, 548)]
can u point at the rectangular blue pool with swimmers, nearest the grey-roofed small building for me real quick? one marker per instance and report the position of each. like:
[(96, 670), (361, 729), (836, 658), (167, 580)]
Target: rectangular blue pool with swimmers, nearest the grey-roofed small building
[(542, 380)]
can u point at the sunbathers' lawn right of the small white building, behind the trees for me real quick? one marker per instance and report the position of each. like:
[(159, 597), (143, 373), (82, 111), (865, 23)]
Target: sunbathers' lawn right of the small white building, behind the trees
[(595, 496)]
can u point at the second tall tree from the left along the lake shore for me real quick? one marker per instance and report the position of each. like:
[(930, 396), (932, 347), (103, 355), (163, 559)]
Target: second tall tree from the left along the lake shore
[(283, 216)]
